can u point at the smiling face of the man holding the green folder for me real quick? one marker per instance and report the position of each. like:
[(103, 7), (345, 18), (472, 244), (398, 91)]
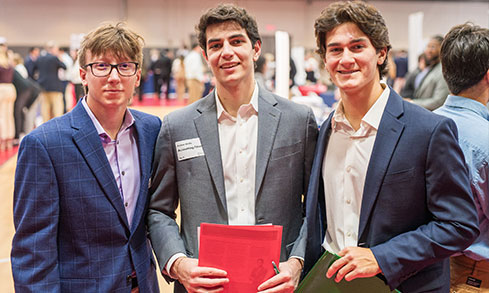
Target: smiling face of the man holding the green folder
[(351, 59)]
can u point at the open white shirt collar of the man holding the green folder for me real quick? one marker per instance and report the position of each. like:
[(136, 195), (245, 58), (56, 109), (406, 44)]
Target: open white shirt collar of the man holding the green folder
[(372, 117)]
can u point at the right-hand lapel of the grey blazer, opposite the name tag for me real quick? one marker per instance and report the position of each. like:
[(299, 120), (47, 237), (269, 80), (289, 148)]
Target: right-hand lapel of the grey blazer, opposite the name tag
[(268, 119)]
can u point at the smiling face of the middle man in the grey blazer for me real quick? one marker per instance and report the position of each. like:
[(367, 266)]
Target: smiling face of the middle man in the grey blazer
[(230, 54)]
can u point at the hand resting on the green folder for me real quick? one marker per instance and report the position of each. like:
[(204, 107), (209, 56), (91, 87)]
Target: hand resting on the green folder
[(355, 262)]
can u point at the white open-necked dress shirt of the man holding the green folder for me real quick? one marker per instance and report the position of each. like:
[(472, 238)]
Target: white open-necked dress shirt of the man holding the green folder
[(344, 170)]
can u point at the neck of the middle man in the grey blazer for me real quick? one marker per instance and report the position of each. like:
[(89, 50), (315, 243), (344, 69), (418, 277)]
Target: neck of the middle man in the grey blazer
[(233, 96)]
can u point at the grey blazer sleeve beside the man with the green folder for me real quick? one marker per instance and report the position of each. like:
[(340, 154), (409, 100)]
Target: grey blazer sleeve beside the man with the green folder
[(299, 248)]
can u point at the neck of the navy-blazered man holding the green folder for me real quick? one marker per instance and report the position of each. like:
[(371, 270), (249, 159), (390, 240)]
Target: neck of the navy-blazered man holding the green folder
[(357, 103)]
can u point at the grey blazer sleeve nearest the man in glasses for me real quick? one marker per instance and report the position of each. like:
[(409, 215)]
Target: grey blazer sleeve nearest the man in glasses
[(163, 192)]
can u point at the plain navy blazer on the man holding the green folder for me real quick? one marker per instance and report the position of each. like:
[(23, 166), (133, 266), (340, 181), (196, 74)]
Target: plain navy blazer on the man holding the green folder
[(417, 206)]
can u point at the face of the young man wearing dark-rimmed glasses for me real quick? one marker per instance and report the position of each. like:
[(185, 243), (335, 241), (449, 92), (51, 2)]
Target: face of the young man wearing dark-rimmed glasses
[(112, 91)]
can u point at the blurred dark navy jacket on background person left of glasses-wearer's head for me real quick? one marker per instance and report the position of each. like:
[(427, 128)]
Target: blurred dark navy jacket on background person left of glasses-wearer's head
[(48, 66)]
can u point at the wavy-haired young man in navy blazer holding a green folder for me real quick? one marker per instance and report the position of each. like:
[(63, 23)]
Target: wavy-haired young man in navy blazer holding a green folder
[(389, 190)]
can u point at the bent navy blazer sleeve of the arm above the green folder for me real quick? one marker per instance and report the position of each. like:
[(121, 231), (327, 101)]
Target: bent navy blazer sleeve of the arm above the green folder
[(453, 225)]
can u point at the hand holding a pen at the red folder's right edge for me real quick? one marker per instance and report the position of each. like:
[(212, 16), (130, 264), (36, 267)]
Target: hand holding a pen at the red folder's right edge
[(286, 280)]
